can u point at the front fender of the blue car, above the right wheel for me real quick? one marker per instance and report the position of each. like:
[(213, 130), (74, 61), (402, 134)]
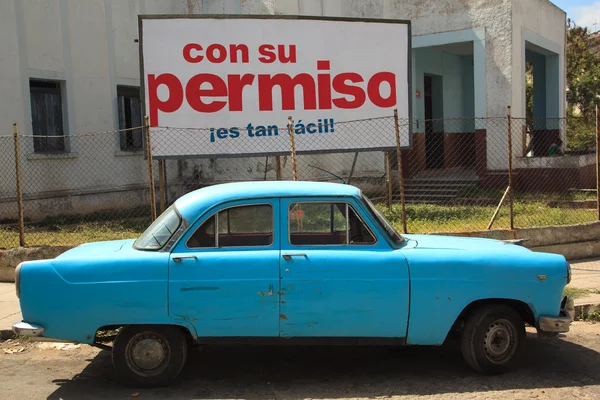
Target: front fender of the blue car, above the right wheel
[(444, 283)]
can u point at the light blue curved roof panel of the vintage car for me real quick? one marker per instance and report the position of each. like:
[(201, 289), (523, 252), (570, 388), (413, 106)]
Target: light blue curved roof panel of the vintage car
[(195, 203)]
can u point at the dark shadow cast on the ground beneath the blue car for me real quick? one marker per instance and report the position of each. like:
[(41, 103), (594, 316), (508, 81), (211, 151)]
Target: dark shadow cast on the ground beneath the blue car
[(339, 372)]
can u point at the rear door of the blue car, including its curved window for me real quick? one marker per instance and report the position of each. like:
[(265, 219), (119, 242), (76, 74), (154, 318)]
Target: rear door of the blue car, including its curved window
[(224, 273)]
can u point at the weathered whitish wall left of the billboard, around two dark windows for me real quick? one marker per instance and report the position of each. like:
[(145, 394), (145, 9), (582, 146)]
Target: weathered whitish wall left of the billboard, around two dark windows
[(90, 46)]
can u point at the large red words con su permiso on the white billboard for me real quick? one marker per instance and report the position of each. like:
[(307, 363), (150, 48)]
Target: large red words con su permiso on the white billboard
[(211, 93)]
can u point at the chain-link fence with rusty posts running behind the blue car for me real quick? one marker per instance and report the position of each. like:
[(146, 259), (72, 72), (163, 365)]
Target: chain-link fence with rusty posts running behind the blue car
[(455, 176)]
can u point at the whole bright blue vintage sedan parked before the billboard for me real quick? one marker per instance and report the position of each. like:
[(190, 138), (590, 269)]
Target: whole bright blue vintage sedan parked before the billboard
[(290, 262)]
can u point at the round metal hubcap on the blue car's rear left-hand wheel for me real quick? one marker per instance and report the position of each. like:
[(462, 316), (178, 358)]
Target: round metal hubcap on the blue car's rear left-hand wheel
[(148, 353)]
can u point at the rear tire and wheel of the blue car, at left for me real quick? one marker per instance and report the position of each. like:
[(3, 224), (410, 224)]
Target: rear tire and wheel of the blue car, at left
[(149, 355)]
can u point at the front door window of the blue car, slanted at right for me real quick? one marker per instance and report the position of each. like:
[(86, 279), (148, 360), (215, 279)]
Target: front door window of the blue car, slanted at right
[(323, 223)]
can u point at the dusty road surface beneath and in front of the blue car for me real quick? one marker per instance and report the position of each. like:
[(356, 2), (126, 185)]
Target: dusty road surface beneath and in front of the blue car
[(567, 367)]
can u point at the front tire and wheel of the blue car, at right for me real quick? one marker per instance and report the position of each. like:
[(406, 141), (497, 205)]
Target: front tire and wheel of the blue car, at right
[(493, 339)]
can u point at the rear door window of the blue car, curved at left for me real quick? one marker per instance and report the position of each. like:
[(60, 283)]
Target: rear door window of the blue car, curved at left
[(241, 226)]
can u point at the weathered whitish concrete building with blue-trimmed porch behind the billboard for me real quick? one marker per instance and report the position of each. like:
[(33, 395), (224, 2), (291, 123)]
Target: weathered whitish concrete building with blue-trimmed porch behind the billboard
[(72, 67)]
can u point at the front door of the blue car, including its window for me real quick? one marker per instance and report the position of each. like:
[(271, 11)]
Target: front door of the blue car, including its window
[(339, 278)]
